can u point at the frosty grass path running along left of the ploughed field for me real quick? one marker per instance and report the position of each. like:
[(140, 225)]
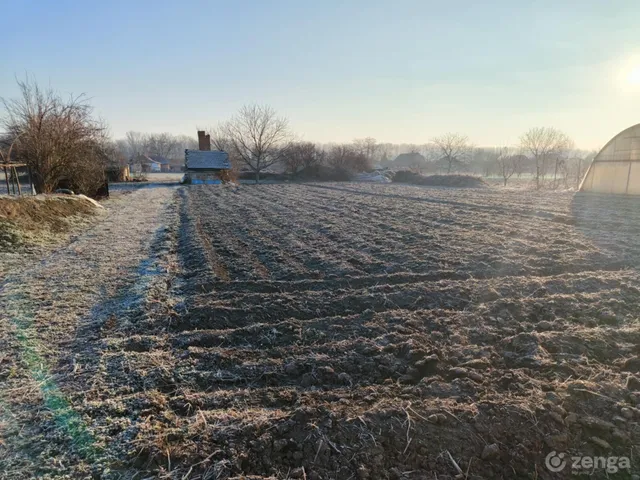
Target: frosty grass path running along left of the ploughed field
[(47, 315)]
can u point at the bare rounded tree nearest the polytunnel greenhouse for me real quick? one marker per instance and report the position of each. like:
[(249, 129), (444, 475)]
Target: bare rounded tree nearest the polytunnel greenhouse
[(544, 144)]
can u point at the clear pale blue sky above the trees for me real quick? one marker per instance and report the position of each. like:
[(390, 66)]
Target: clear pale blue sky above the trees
[(400, 71)]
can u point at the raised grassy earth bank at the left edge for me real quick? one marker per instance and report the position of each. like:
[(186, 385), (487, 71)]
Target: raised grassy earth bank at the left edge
[(41, 219)]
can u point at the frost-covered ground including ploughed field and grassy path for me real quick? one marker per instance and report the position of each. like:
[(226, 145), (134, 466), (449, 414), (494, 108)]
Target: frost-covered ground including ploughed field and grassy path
[(328, 331)]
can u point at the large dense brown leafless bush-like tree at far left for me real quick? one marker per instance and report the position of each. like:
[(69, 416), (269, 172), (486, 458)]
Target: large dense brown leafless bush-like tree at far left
[(58, 139)]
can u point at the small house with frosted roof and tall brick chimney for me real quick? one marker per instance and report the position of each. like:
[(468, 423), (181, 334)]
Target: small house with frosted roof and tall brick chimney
[(205, 165)]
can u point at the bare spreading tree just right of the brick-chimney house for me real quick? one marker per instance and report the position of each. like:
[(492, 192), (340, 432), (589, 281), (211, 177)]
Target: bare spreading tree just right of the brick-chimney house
[(256, 136)]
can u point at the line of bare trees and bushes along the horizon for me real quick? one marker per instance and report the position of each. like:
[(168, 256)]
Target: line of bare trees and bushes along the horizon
[(61, 140)]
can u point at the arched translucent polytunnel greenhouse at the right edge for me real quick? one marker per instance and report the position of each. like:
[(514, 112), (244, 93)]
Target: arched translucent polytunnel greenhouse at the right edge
[(616, 169)]
